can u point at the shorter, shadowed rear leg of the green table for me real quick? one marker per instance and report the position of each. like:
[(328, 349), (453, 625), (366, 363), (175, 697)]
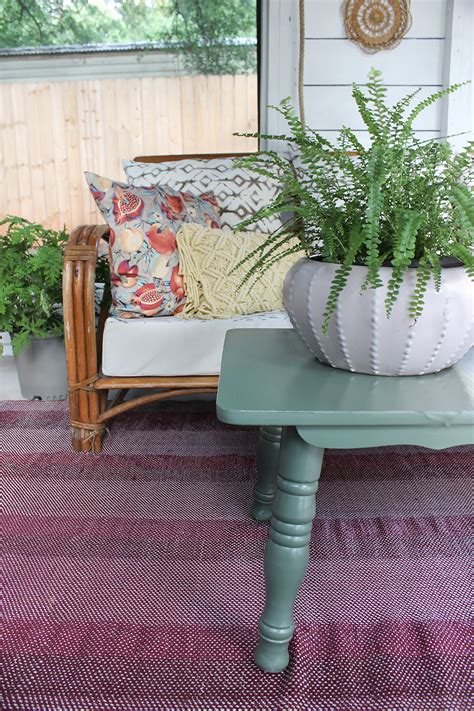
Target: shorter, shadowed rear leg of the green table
[(268, 449)]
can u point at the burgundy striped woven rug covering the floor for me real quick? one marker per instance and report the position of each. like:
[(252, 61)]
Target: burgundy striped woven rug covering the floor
[(134, 578)]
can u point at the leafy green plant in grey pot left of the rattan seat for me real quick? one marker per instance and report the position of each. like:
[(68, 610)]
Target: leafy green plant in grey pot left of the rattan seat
[(31, 263)]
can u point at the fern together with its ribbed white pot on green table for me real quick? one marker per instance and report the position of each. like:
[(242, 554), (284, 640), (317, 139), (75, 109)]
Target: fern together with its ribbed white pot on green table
[(386, 286)]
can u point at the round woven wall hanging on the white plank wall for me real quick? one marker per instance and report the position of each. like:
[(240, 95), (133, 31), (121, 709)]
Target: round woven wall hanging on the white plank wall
[(376, 24)]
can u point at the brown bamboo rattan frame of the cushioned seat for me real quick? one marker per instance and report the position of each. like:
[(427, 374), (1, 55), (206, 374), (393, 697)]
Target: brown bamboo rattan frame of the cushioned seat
[(87, 387)]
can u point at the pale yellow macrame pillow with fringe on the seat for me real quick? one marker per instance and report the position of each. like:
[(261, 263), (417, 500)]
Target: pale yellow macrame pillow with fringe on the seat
[(206, 258)]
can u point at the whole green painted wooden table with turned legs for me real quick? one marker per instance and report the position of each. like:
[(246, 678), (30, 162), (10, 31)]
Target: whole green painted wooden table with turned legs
[(268, 378)]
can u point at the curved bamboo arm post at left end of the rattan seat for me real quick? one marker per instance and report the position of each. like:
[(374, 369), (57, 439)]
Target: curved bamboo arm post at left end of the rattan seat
[(82, 352)]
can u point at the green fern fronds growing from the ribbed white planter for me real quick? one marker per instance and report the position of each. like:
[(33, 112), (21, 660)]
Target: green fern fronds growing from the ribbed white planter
[(400, 199)]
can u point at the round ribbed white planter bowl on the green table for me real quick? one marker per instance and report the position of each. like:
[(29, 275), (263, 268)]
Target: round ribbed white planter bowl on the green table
[(361, 338)]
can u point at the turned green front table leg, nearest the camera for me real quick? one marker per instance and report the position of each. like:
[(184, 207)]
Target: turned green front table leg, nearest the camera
[(287, 552)]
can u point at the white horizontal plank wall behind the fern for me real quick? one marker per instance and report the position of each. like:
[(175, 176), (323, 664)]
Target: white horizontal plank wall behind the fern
[(436, 51)]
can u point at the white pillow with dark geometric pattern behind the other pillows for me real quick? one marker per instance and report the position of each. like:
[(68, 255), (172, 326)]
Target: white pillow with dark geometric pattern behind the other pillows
[(239, 192)]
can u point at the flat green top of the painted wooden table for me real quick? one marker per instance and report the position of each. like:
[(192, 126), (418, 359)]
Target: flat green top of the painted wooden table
[(268, 377)]
